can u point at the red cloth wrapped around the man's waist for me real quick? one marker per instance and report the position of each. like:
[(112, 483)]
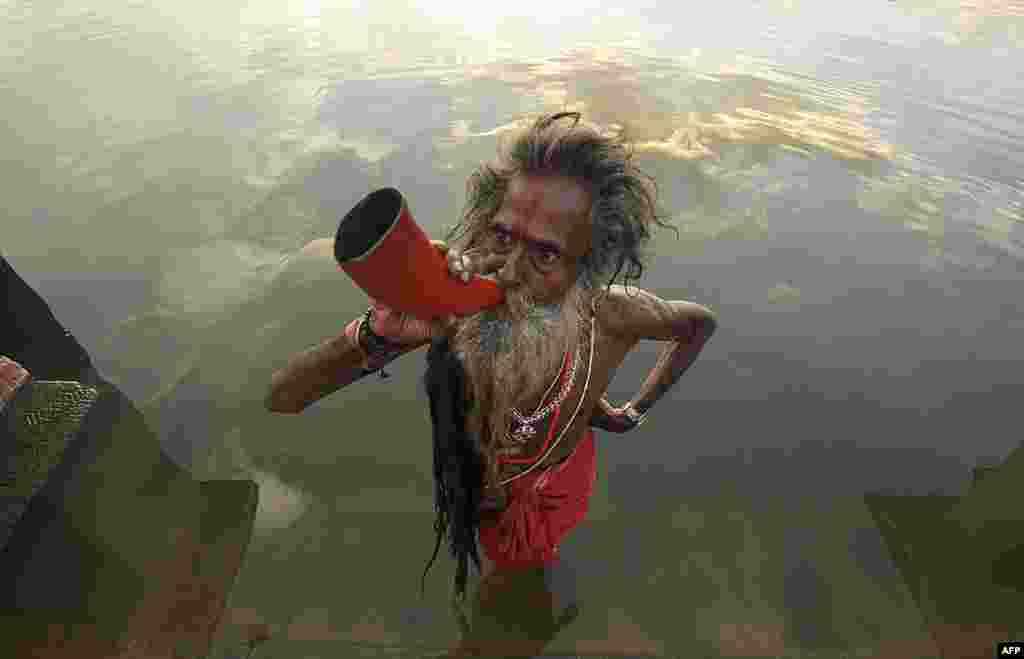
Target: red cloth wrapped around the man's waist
[(543, 506)]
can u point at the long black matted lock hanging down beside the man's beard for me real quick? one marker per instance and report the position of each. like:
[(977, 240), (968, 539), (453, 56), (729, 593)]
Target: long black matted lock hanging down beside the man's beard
[(458, 464)]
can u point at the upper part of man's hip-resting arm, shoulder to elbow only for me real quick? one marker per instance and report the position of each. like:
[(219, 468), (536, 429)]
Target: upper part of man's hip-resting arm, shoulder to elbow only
[(632, 314)]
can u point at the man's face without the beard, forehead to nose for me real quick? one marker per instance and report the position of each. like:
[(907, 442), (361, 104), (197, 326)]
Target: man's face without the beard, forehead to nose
[(542, 231)]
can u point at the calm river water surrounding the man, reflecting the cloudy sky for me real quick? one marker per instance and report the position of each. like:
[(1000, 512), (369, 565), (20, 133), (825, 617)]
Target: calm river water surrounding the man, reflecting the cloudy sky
[(848, 182)]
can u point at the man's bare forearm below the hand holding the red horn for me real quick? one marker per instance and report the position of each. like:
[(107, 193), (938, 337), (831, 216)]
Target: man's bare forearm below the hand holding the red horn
[(323, 370)]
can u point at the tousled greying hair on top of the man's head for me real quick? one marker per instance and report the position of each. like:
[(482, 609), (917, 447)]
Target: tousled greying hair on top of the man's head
[(624, 198)]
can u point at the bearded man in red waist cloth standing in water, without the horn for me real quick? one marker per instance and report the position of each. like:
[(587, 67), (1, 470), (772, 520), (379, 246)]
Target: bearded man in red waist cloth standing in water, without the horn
[(516, 390)]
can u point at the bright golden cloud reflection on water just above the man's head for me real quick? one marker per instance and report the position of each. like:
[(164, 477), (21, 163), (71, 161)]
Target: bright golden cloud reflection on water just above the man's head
[(686, 114)]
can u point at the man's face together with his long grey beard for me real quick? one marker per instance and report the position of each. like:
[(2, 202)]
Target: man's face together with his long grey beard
[(514, 353)]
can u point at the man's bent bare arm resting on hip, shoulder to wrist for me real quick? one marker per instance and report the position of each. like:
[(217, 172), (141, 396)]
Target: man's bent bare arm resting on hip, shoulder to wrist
[(635, 315)]
